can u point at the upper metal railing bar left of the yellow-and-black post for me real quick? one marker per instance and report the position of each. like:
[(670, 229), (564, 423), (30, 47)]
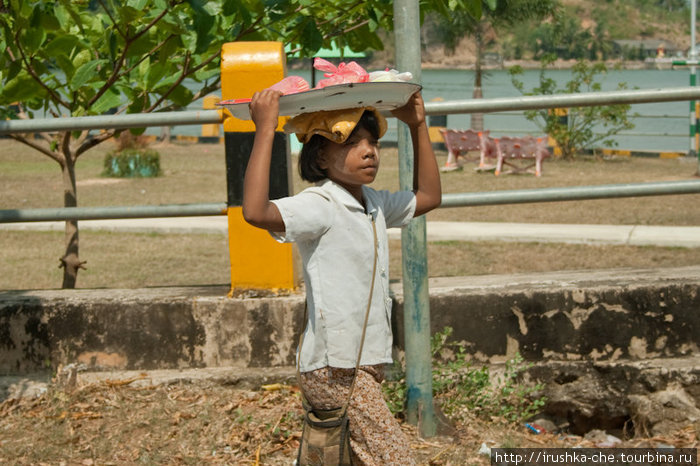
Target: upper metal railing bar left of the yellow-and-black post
[(131, 120)]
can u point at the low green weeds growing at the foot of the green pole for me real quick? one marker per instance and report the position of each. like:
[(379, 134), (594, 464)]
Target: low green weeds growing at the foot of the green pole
[(464, 391)]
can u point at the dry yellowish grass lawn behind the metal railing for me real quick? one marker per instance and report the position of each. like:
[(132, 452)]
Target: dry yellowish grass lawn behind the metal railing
[(196, 173)]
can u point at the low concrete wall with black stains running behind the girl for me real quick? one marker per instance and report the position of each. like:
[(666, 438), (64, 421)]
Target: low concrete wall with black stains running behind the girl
[(598, 315)]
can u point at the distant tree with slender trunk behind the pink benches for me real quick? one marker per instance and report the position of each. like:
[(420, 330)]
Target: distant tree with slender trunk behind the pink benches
[(492, 14)]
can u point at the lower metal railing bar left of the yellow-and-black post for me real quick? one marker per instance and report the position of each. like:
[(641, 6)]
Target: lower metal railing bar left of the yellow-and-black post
[(111, 212)]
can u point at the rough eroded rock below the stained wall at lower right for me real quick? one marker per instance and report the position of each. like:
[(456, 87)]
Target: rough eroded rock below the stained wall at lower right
[(653, 396)]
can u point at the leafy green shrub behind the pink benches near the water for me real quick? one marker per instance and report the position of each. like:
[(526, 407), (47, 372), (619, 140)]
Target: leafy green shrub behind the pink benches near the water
[(584, 127)]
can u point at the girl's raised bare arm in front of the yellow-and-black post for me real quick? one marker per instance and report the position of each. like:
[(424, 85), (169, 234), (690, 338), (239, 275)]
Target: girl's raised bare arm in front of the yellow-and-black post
[(257, 208)]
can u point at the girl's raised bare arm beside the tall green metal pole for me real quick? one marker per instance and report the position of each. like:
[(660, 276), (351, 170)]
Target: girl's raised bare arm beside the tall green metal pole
[(426, 176)]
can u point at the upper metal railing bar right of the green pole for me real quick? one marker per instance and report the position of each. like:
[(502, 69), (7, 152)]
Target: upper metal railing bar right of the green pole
[(586, 99)]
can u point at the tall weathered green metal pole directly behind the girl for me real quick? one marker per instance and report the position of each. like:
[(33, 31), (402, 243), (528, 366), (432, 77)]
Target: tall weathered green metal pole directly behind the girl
[(419, 396)]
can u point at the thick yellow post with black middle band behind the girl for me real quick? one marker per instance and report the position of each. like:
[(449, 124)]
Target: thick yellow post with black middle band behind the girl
[(257, 260)]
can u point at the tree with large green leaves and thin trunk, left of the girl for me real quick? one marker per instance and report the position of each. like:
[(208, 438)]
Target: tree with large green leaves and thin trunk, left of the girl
[(79, 57)]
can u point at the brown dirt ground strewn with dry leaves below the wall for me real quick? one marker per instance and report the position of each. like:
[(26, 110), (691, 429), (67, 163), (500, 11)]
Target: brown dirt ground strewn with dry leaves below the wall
[(132, 420)]
